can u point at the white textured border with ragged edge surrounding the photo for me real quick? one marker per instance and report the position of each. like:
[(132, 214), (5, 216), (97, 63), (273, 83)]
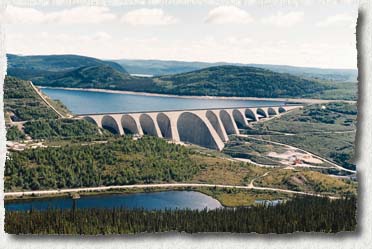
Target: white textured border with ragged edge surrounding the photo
[(360, 239)]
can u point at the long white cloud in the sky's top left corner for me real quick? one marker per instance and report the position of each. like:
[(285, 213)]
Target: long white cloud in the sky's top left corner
[(84, 14)]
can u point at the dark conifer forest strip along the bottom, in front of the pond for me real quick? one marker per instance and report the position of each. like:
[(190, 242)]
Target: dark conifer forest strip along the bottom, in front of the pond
[(308, 214)]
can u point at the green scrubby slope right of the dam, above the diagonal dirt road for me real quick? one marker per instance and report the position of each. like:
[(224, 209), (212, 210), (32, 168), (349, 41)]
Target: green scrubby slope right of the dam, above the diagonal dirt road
[(313, 129)]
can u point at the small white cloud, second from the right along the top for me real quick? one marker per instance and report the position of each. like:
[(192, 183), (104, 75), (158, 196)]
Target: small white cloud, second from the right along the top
[(285, 19)]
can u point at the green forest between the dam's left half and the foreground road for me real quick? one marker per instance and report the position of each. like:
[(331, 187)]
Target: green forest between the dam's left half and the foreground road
[(117, 162)]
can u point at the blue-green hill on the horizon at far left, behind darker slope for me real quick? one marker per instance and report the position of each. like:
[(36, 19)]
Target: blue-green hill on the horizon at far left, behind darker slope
[(34, 66)]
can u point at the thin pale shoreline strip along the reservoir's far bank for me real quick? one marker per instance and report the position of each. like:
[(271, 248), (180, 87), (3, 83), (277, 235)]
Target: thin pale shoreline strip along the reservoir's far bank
[(288, 100)]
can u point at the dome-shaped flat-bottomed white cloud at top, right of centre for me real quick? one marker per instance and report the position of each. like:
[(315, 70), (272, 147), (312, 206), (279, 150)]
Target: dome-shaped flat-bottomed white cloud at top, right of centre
[(228, 14)]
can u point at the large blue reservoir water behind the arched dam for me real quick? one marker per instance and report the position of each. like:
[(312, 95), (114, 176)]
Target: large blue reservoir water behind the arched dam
[(80, 102)]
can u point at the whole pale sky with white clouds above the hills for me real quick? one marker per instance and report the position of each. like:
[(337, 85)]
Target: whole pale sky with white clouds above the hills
[(310, 35)]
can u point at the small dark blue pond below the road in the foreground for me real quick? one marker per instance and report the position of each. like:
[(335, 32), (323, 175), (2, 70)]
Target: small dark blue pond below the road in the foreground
[(149, 201)]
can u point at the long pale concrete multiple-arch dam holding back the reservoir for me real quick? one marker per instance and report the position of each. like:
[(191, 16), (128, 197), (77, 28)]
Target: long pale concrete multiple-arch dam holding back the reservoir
[(208, 128)]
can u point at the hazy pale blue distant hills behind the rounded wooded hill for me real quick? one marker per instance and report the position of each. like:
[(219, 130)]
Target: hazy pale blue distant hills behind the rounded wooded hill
[(164, 67)]
